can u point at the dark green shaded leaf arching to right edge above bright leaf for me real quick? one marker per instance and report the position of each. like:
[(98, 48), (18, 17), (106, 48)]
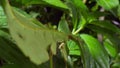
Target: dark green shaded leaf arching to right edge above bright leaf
[(108, 32)]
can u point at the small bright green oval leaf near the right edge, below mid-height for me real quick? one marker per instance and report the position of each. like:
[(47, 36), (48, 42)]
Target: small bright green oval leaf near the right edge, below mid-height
[(110, 49)]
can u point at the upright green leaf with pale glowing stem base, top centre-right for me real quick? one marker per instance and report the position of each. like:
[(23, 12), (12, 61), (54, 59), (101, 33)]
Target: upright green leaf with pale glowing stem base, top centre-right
[(79, 14)]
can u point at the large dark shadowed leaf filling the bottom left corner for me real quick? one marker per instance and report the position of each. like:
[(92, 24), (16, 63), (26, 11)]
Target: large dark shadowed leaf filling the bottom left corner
[(12, 55)]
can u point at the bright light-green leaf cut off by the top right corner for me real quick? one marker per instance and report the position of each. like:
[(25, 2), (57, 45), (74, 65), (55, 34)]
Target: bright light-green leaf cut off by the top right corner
[(108, 4)]
